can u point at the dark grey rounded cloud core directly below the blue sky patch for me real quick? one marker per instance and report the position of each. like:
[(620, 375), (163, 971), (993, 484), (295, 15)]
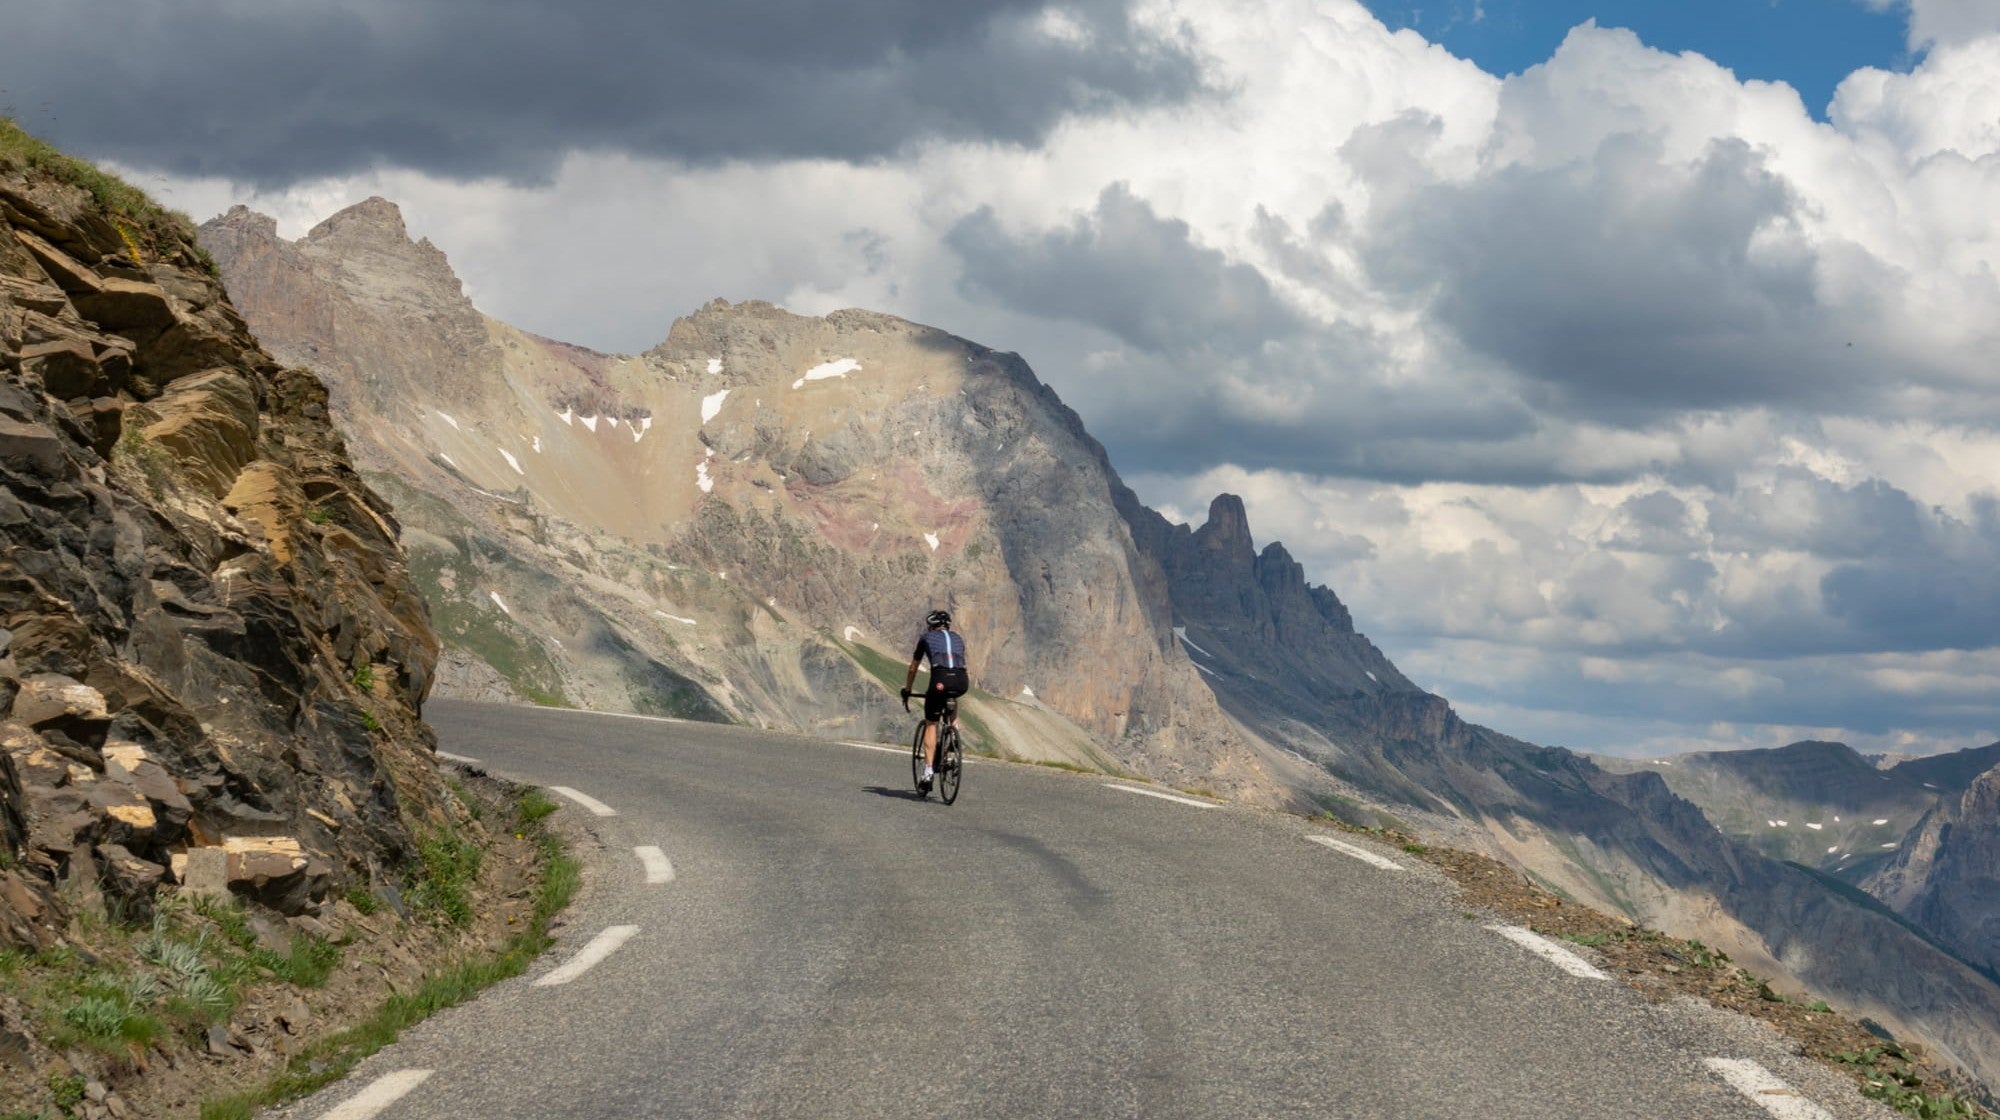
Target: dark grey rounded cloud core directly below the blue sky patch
[(1633, 287)]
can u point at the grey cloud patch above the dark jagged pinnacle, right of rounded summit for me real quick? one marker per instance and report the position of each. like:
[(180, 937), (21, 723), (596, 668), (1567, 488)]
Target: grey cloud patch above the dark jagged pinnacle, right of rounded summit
[(1213, 365)]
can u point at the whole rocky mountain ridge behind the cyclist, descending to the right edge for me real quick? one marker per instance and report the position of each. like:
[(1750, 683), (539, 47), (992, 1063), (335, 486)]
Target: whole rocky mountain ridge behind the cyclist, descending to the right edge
[(745, 521)]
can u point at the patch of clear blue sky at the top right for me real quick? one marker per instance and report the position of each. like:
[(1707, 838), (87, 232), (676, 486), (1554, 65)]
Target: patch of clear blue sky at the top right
[(1809, 45)]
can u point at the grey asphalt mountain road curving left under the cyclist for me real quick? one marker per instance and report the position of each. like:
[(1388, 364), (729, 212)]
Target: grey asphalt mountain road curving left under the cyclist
[(831, 947)]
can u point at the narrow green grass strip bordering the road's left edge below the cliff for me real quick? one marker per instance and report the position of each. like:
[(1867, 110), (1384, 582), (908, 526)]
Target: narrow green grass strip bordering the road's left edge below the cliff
[(331, 1059)]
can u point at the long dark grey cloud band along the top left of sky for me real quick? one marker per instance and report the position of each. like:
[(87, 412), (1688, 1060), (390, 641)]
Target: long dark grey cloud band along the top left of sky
[(279, 93)]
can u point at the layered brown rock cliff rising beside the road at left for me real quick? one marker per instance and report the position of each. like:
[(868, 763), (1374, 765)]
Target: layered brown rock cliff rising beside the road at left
[(211, 653)]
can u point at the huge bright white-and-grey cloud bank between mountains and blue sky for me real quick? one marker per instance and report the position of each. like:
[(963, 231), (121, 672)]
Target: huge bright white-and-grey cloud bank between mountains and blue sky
[(1619, 359)]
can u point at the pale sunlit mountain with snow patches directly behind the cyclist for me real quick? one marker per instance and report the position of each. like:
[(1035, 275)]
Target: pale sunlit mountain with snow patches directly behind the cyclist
[(751, 519)]
